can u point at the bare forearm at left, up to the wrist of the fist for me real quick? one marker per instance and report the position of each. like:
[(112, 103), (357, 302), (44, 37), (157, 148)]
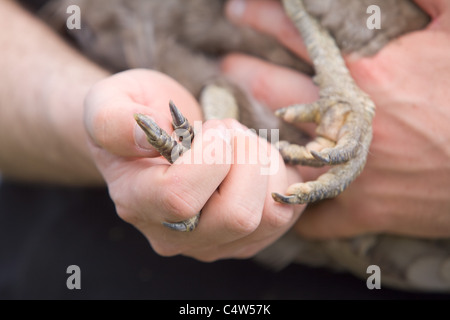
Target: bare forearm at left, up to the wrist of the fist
[(44, 82)]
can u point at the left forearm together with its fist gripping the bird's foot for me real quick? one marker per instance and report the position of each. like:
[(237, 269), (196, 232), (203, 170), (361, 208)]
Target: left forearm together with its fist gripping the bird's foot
[(75, 126)]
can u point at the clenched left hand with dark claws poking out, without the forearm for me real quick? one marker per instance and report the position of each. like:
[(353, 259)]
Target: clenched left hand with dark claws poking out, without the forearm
[(239, 217)]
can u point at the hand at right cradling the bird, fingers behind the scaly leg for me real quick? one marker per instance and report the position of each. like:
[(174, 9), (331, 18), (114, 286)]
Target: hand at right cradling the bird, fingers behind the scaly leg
[(405, 186)]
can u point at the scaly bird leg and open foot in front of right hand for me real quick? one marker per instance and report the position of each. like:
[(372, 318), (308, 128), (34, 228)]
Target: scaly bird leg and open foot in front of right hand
[(343, 114)]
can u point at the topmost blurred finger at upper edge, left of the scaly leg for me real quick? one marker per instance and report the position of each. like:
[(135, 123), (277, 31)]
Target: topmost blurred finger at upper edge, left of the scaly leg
[(268, 17)]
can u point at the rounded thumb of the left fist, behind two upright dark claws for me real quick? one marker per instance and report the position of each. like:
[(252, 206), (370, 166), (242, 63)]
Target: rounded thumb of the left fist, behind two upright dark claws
[(111, 104)]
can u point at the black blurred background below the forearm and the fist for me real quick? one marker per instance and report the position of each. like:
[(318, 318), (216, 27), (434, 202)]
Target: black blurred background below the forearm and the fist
[(44, 229)]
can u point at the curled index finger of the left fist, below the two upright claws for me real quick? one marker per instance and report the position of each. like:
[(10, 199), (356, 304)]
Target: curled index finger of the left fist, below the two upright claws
[(147, 192)]
